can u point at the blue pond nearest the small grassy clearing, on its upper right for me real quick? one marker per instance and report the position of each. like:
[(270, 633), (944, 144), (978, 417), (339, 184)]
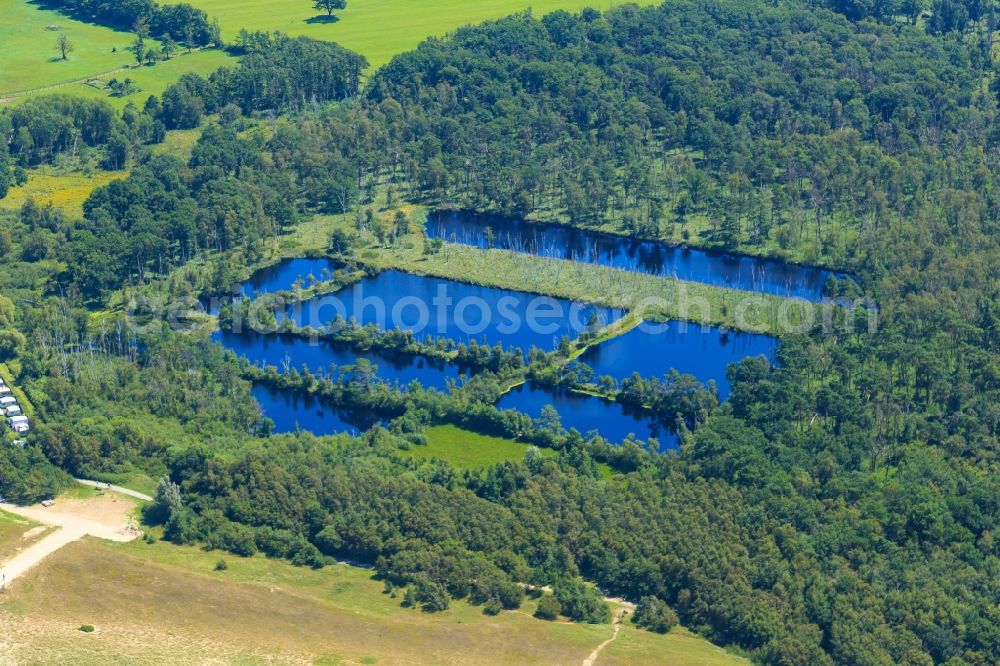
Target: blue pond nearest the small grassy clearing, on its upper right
[(586, 413)]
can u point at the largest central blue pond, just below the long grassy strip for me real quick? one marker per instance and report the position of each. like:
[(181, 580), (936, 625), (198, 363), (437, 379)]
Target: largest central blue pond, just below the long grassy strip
[(435, 307)]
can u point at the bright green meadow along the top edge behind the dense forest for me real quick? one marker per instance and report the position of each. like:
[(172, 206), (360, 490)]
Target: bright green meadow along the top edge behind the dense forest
[(377, 29)]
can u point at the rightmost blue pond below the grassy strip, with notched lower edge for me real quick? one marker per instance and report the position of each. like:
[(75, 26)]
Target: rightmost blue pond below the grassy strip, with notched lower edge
[(653, 350)]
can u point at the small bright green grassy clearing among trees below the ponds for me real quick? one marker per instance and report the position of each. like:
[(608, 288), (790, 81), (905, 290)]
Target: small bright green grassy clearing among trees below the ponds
[(468, 450)]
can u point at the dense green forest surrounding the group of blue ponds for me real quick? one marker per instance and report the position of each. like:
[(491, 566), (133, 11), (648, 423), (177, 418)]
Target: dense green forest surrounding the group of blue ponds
[(841, 507)]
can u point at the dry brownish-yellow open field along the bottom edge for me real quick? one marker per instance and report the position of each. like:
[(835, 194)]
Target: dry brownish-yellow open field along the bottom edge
[(156, 603)]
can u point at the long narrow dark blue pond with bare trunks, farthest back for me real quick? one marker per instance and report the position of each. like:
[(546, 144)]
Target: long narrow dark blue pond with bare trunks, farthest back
[(563, 242)]
